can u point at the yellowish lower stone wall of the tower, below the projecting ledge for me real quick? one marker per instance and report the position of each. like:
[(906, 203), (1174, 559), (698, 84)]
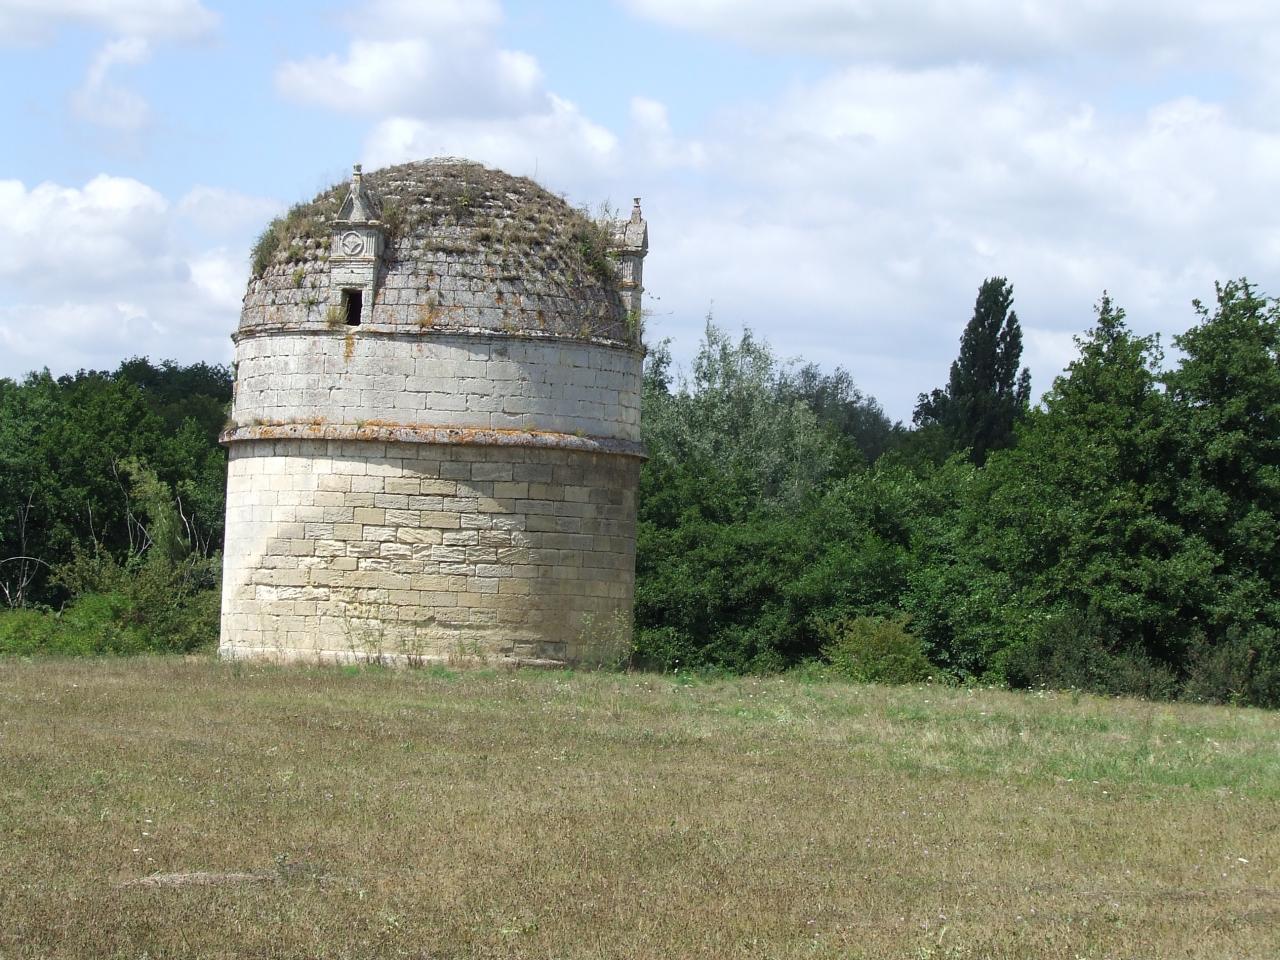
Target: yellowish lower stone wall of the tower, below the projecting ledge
[(427, 552)]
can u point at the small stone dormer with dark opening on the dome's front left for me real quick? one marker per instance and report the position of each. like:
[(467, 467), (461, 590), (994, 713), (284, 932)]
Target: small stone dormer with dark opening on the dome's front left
[(355, 254)]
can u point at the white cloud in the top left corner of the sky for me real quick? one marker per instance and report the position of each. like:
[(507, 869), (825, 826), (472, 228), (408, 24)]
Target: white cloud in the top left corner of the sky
[(30, 21)]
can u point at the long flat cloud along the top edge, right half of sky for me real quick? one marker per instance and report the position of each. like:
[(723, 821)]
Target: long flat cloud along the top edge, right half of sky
[(917, 33)]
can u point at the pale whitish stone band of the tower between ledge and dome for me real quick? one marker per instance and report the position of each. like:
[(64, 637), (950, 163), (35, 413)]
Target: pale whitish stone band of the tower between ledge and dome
[(464, 381)]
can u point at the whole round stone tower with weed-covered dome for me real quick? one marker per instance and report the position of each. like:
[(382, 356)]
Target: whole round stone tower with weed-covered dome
[(436, 436)]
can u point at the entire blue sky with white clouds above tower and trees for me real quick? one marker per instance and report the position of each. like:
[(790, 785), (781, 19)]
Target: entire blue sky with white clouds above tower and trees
[(838, 176)]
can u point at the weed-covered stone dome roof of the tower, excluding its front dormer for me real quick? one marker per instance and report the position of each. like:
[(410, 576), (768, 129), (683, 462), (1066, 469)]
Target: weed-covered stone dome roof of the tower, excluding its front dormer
[(467, 249)]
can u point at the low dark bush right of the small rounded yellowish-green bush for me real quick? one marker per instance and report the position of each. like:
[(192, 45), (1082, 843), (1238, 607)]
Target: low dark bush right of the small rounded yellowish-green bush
[(1073, 652)]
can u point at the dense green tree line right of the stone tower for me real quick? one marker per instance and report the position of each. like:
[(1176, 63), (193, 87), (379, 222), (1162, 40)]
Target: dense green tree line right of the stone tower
[(1121, 537)]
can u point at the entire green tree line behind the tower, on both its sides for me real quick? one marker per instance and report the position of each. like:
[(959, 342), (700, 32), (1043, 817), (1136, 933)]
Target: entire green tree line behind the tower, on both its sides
[(1119, 537)]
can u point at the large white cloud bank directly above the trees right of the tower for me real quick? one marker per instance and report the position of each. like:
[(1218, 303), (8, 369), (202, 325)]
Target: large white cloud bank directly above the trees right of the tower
[(853, 220)]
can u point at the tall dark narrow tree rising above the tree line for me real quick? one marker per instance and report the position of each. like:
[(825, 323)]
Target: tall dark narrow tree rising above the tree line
[(986, 394)]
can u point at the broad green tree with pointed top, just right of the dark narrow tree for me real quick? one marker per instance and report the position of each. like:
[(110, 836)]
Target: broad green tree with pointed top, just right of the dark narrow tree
[(1077, 520)]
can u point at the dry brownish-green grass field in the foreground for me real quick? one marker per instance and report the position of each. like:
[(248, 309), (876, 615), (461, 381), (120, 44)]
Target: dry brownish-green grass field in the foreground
[(367, 813)]
